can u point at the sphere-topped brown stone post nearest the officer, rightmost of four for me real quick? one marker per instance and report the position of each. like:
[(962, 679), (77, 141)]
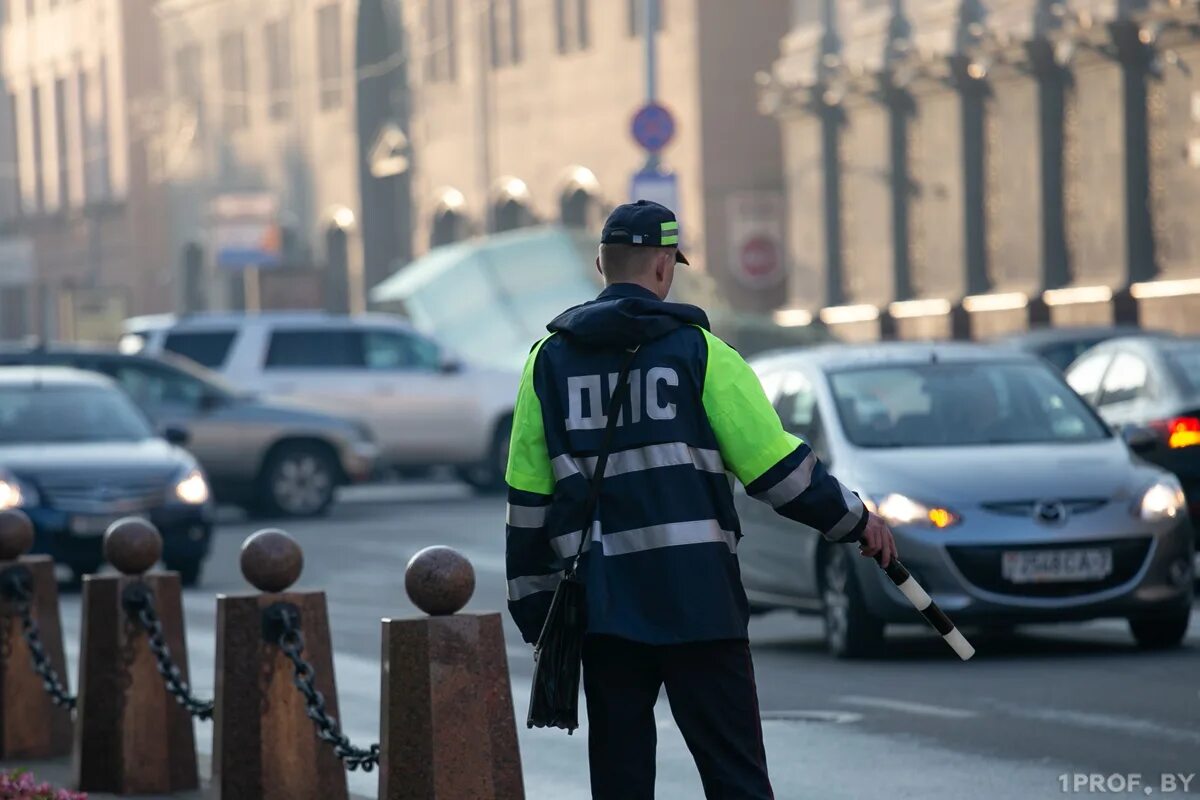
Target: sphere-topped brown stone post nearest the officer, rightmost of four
[(447, 725)]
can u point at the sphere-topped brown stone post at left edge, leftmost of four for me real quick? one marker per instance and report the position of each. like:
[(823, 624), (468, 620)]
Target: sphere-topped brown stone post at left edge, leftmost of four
[(32, 726)]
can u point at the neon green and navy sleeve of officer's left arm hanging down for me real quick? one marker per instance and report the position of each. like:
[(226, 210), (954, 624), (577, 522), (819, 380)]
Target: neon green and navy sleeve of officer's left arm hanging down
[(532, 567)]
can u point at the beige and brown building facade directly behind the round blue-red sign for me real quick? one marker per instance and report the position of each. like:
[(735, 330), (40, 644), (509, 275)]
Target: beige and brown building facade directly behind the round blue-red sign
[(521, 115)]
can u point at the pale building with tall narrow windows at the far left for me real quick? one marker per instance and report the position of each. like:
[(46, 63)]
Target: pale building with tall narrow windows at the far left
[(81, 216)]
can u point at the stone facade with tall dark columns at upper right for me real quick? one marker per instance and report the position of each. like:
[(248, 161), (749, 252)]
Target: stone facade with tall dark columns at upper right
[(977, 167)]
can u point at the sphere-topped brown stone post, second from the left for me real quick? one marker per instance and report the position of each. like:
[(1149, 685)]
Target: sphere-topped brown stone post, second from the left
[(131, 737)]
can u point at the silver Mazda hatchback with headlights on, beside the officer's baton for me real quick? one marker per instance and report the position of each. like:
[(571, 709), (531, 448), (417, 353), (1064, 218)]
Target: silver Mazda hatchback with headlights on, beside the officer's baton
[(1012, 503)]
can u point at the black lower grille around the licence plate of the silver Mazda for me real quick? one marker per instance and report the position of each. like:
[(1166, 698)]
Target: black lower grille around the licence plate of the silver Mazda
[(982, 568)]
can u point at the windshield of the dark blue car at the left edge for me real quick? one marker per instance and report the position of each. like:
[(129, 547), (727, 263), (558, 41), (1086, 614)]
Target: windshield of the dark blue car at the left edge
[(75, 414)]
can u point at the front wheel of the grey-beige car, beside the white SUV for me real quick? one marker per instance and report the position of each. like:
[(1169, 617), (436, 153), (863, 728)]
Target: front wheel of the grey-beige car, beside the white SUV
[(299, 480)]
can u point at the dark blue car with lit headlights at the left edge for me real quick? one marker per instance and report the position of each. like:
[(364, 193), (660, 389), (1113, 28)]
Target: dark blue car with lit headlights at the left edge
[(76, 455)]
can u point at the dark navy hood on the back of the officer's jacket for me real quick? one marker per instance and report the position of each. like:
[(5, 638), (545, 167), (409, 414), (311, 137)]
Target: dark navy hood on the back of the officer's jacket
[(623, 316)]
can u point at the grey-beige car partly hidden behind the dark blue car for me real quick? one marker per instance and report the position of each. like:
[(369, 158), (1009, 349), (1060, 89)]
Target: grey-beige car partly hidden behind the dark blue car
[(271, 459)]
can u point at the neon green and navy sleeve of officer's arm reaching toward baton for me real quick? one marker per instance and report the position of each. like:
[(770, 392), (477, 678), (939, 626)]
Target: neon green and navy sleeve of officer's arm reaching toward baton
[(775, 466)]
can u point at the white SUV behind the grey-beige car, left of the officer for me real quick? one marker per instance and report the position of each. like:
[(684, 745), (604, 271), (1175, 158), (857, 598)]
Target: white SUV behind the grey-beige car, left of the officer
[(425, 407)]
